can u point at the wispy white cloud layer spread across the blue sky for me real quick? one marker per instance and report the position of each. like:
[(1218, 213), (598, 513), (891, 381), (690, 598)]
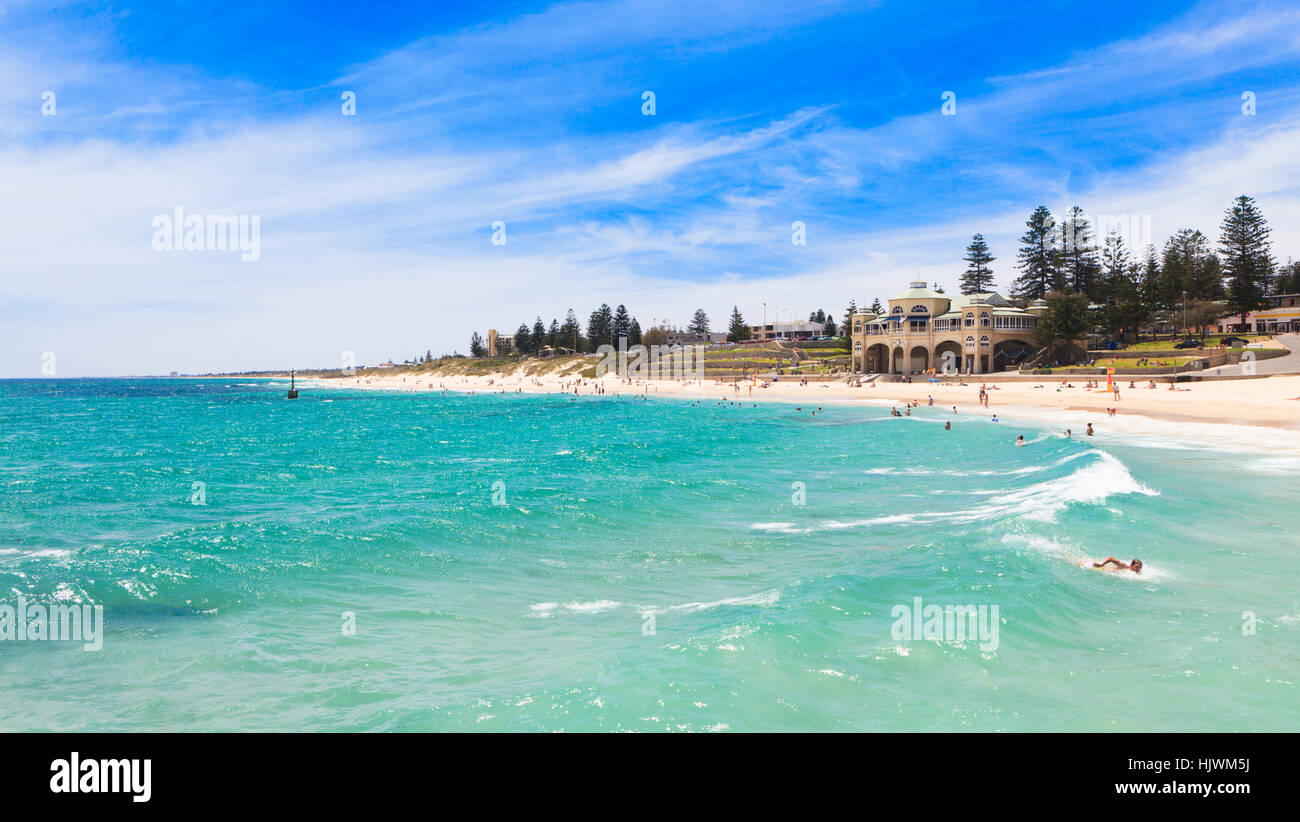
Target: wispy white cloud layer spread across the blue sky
[(382, 246)]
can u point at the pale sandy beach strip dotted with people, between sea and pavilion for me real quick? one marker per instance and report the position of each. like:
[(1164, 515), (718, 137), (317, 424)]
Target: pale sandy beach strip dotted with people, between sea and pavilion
[(1272, 401)]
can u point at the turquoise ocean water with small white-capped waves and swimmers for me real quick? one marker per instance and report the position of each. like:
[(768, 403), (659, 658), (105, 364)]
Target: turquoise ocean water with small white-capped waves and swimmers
[(532, 563)]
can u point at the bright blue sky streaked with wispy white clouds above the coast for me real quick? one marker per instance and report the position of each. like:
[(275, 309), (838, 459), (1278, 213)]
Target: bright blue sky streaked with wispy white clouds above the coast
[(376, 228)]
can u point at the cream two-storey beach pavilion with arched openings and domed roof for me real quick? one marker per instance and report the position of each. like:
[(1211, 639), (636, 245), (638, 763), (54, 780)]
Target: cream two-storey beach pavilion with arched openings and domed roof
[(924, 330)]
